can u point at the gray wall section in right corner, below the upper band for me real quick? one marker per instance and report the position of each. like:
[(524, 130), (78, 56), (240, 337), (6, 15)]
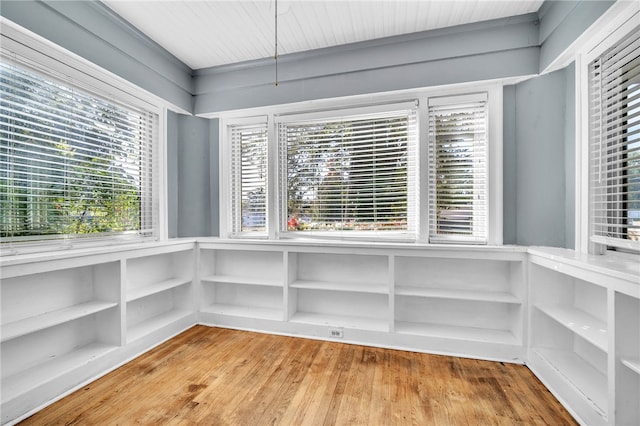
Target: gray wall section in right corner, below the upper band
[(538, 176)]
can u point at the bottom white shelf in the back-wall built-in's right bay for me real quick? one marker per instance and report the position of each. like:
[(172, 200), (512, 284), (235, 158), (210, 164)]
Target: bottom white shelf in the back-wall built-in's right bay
[(456, 332)]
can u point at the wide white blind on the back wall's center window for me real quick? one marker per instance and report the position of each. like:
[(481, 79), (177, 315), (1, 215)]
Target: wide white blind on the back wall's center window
[(350, 173)]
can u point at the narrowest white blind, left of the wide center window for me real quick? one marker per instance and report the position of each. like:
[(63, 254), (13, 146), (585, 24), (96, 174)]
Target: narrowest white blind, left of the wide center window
[(249, 178)]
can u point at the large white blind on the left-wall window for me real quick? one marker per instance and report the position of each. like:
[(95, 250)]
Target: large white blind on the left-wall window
[(72, 164)]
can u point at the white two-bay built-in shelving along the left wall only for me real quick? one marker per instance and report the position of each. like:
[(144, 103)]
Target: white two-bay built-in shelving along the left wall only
[(69, 317)]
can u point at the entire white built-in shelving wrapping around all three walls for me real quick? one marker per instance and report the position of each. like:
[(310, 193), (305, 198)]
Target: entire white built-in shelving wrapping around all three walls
[(70, 317)]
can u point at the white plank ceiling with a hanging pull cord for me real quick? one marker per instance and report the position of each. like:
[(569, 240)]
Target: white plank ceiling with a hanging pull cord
[(208, 33)]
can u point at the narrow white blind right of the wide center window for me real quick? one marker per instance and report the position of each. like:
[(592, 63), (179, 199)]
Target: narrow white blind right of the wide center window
[(458, 180)]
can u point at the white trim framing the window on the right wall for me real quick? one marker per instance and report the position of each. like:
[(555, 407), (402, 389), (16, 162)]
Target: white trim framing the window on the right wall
[(617, 22)]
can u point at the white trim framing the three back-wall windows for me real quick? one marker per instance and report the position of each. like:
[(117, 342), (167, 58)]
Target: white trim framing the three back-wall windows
[(273, 113)]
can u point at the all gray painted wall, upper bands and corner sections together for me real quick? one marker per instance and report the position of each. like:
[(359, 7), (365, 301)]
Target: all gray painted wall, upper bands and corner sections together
[(538, 115)]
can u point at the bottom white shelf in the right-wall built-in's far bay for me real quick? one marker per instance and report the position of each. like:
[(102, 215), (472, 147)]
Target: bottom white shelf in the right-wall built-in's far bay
[(586, 379)]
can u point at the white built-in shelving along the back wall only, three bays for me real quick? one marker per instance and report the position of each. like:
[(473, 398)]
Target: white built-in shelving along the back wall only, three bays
[(464, 301)]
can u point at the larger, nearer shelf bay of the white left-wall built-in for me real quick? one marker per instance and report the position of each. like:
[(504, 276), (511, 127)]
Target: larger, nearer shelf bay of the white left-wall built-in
[(54, 322)]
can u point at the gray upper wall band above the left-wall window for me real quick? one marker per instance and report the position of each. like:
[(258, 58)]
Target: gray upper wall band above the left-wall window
[(91, 30)]
